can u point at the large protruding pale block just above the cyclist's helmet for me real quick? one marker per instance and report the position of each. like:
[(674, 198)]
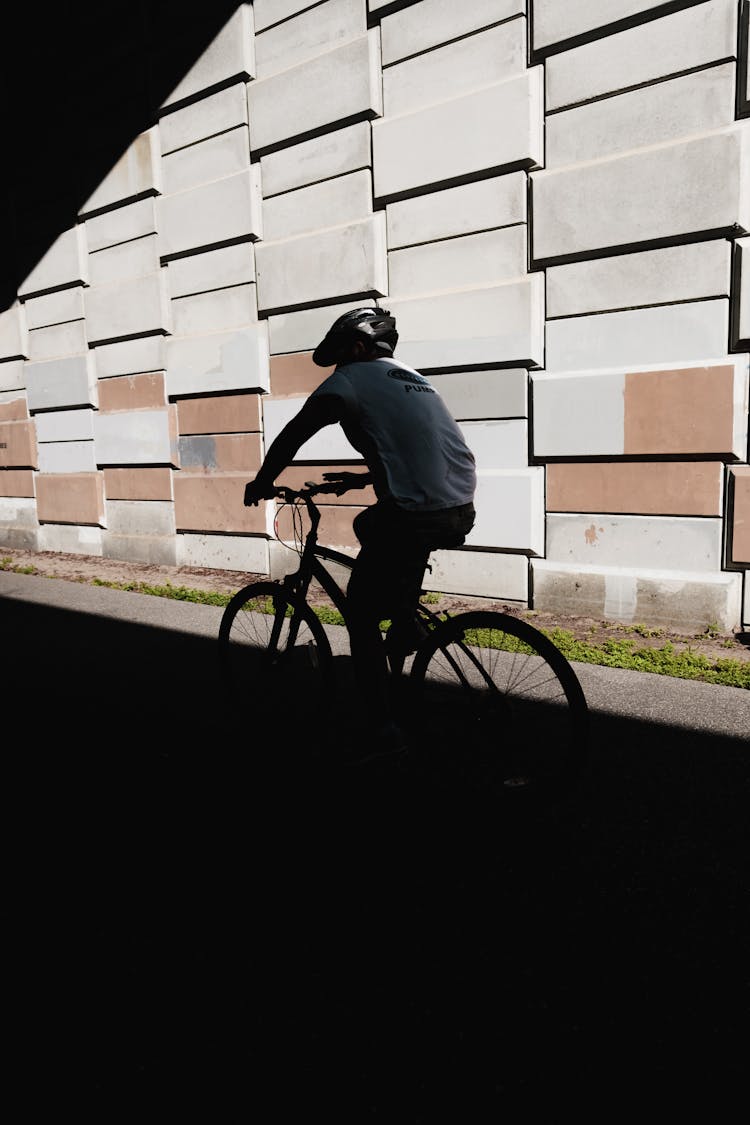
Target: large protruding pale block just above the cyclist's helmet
[(336, 263)]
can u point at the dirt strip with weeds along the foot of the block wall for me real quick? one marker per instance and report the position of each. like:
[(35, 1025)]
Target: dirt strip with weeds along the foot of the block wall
[(86, 569)]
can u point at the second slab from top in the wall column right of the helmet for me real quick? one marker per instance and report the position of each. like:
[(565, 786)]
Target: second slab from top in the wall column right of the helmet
[(456, 69)]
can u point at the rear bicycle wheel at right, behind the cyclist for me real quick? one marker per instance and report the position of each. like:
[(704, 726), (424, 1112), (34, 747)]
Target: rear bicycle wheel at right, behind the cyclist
[(501, 692)]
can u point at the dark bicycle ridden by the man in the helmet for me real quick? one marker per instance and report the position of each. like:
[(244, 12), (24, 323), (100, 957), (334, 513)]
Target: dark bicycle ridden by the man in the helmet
[(482, 680)]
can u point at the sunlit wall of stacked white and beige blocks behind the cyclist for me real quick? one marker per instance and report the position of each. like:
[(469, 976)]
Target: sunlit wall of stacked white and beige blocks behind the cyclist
[(553, 199)]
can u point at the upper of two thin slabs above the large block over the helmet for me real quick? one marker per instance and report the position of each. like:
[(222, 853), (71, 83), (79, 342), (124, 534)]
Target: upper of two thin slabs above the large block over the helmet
[(333, 155)]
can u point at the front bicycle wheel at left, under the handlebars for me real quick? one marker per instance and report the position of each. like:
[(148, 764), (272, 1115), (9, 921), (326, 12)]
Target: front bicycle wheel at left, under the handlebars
[(256, 653)]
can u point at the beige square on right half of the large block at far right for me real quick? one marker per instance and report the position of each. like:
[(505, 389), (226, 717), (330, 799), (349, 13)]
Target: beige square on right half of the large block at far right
[(683, 411)]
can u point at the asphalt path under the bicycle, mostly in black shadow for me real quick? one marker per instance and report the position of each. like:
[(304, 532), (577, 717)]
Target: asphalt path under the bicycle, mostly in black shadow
[(206, 912)]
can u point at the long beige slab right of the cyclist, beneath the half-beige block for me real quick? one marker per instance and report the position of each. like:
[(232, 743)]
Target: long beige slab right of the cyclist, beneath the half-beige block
[(636, 488)]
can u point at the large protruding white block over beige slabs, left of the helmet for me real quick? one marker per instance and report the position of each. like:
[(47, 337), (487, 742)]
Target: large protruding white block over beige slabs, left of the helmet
[(221, 362)]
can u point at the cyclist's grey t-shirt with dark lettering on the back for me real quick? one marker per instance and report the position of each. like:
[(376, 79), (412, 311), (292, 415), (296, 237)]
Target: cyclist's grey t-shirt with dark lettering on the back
[(409, 439)]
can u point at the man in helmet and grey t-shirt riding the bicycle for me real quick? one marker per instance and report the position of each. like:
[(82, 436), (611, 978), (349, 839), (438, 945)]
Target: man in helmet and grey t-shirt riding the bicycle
[(424, 479)]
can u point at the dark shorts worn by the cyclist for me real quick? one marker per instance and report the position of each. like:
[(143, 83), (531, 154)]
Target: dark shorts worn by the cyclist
[(396, 545)]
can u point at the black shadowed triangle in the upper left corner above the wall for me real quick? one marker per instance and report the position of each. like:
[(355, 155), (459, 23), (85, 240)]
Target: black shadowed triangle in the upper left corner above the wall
[(79, 83)]
